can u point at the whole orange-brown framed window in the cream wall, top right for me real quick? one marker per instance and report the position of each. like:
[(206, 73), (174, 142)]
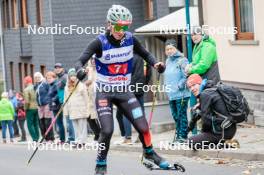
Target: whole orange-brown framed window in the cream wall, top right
[(244, 19)]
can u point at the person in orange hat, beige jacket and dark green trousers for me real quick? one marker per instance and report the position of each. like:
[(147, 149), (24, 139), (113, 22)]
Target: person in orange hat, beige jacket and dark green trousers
[(31, 109)]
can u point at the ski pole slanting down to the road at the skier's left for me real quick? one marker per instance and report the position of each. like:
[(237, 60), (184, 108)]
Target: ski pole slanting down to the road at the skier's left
[(52, 123)]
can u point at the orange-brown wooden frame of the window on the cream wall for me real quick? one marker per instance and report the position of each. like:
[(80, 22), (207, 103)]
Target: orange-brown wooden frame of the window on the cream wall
[(241, 35)]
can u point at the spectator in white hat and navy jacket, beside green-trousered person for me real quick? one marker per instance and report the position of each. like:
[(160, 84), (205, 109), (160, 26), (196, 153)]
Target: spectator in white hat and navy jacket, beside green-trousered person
[(45, 114)]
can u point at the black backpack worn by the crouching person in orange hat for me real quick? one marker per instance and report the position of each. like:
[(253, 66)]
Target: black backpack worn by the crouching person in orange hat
[(236, 104)]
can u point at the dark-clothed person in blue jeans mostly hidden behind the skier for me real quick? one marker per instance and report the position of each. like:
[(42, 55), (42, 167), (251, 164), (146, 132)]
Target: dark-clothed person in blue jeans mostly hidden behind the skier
[(141, 75)]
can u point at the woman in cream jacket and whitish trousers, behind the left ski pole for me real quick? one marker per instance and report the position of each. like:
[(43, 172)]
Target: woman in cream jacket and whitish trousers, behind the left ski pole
[(76, 107)]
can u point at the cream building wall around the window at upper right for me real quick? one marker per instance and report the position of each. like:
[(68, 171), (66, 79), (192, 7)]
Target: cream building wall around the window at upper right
[(238, 63)]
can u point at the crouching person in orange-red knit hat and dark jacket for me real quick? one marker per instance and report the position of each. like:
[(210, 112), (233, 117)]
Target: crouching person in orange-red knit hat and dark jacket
[(215, 128)]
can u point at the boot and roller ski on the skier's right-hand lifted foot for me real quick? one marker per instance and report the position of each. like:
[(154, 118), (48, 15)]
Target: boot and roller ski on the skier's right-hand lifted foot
[(152, 161)]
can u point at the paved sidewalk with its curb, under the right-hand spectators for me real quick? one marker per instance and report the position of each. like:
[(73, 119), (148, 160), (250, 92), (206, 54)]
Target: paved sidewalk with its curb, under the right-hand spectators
[(251, 141)]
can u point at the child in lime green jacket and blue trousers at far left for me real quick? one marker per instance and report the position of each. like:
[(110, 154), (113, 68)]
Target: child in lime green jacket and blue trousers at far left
[(7, 113)]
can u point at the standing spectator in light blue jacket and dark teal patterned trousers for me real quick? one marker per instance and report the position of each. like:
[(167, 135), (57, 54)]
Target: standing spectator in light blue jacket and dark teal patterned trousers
[(178, 94)]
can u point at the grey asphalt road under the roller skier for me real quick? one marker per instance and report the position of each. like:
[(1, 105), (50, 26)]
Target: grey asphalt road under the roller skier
[(13, 160)]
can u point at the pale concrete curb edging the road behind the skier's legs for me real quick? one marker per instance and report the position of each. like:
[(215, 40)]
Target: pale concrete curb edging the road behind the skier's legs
[(189, 153)]
